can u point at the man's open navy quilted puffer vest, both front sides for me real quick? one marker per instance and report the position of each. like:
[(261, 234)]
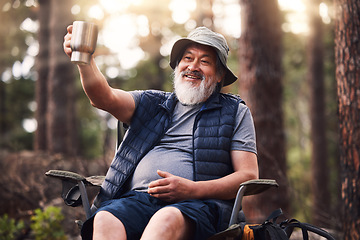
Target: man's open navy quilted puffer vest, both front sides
[(213, 130)]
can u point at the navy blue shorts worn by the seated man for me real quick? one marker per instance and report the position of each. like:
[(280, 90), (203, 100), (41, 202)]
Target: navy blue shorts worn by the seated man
[(134, 210)]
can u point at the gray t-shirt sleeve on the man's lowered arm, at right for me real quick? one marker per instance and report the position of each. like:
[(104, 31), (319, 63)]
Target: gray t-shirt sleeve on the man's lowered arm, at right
[(244, 138)]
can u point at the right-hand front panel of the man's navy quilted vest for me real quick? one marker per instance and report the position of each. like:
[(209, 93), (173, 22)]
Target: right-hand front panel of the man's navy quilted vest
[(212, 138)]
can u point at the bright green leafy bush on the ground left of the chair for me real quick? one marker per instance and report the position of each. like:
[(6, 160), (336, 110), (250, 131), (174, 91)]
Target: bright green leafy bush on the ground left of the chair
[(47, 224)]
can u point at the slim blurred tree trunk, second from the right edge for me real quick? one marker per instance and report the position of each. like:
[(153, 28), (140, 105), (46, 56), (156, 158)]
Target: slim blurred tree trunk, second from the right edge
[(319, 161)]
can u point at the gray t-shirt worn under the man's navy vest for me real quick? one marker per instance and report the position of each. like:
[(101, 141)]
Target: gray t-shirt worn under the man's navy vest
[(173, 154)]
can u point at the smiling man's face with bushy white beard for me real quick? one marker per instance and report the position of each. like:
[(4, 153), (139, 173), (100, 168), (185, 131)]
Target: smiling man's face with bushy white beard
[(195, 76)]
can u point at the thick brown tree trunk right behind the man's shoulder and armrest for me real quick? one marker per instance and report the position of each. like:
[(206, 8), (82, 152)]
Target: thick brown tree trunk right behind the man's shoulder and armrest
[(261, 88)]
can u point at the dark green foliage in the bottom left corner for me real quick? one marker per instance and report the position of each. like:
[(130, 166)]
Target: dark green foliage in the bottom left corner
[(9, 228)]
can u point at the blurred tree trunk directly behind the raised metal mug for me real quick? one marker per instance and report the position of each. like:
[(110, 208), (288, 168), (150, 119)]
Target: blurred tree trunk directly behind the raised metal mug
[(61, 133)]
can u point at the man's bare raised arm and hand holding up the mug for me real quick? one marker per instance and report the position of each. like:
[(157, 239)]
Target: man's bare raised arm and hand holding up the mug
[(117, 102)]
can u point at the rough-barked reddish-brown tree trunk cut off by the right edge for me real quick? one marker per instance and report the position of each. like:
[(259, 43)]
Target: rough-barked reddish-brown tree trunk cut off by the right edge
[(347, 45)]
